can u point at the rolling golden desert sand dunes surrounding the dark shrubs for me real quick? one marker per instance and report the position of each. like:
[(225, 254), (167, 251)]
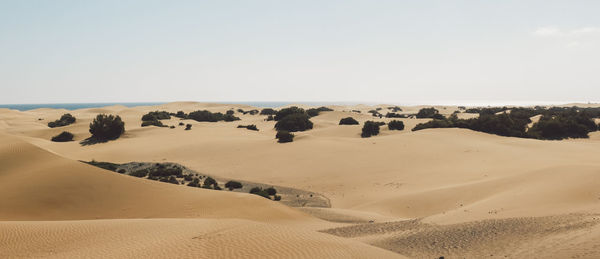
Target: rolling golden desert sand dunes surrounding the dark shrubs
[(425, 194)]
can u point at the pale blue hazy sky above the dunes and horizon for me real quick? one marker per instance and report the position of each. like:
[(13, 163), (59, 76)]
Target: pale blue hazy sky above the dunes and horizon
[(401, 52)]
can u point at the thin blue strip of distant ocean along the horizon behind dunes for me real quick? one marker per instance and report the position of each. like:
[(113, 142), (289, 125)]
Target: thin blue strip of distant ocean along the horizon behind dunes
[(75, 106)]
